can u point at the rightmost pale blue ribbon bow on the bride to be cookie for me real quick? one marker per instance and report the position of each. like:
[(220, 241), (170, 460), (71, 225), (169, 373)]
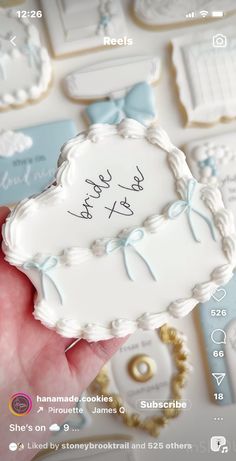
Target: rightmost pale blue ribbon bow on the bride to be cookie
[(185, 206)]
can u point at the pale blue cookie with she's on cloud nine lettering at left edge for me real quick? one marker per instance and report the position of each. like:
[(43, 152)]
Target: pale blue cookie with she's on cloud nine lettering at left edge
[(29, 172)]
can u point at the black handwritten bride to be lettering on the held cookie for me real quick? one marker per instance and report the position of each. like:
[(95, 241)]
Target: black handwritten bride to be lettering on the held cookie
[(98, 188)]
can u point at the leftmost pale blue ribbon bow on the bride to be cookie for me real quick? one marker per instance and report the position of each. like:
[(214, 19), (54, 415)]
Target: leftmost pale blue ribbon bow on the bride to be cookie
[(44, 268)]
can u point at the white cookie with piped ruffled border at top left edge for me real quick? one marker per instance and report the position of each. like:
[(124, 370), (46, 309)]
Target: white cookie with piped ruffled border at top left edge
[(25, 69)]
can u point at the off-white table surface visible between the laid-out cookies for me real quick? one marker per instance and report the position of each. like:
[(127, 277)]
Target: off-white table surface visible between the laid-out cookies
[(197, 425)]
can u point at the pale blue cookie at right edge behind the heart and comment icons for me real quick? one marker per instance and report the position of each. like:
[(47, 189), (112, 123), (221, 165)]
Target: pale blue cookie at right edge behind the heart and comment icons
[(208, 324)]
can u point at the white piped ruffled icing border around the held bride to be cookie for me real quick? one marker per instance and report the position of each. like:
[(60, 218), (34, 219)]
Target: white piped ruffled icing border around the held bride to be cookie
[(211, 196)]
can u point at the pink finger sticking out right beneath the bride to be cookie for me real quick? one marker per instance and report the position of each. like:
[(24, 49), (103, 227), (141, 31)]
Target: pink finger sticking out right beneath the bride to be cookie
[(86, 359)]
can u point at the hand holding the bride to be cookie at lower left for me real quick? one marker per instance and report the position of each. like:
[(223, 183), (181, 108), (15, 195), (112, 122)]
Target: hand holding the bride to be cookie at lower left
[(37, 357)]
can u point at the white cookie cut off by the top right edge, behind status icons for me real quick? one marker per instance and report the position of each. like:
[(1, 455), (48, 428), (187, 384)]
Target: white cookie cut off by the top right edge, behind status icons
[(171, 12)]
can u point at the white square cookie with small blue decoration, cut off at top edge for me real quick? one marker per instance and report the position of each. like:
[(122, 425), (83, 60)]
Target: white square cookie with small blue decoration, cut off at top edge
[(77, 26)]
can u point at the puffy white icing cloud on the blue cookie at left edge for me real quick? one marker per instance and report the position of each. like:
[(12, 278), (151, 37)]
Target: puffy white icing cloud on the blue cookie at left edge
[(12, 142)]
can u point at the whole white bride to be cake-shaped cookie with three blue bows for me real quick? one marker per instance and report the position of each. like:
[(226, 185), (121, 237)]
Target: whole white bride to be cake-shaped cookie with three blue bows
[(82, 267)]
